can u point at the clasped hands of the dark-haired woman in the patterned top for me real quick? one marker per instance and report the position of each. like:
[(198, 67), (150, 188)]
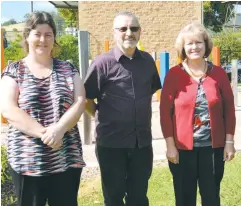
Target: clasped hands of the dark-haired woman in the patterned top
[(53, 135)]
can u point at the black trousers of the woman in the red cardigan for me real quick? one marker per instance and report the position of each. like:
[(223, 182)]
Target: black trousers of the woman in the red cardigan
[(203, 166)]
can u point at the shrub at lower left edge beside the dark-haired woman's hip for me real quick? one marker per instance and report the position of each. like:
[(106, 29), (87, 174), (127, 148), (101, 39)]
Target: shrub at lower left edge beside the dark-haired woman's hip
[(7, 190)]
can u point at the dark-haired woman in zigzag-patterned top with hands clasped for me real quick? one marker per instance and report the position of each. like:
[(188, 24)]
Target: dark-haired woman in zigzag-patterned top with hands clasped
[(43, 99)]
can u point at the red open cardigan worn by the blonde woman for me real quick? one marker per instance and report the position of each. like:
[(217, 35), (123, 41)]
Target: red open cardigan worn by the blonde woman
[(177, 106)]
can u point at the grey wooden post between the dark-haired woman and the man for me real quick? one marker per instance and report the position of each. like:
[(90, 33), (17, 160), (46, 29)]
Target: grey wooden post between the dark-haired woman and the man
[(83, 41)]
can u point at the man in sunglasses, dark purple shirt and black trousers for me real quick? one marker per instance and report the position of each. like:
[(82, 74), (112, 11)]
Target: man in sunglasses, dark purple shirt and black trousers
[(123, 82)]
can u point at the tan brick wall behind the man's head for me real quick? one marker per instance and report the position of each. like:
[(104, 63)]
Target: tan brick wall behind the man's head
[(160, 22)]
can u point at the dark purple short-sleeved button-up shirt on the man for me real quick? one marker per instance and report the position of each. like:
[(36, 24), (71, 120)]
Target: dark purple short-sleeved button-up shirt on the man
[(123, 88)]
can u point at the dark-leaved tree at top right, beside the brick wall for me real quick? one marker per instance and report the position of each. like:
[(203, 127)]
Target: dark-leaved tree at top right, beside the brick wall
[(216, 13)]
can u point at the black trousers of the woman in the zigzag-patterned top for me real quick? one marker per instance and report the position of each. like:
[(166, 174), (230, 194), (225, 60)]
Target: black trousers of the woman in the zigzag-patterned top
[(58, 189)]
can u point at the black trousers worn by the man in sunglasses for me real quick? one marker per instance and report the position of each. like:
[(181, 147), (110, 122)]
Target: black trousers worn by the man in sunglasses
[(125, 174)]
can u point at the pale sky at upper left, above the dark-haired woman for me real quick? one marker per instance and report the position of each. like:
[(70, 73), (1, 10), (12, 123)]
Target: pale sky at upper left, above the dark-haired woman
[(17, 9)]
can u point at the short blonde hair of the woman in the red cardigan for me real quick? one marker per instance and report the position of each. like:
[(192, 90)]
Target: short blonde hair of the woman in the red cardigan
[(194, 28)]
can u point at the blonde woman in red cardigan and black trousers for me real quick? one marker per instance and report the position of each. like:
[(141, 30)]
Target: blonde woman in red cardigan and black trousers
[(197, 119)]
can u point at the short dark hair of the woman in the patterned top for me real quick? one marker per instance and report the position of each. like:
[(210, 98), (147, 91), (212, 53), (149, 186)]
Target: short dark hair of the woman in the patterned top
[(35, 19)]
